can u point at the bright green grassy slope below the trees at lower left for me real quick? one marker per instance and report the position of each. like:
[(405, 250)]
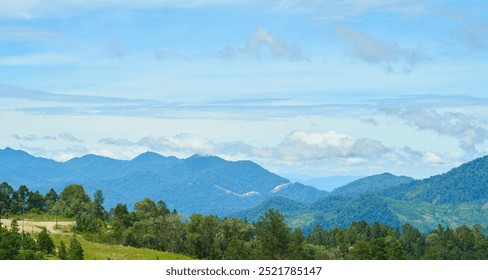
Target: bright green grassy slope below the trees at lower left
[(97, 251)]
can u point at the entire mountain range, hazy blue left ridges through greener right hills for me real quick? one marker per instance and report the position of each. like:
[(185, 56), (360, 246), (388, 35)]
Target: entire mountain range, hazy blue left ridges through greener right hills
[(212, 185)]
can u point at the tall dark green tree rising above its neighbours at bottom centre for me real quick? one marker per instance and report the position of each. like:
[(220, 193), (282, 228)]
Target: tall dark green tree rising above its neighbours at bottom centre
[(272, 235)]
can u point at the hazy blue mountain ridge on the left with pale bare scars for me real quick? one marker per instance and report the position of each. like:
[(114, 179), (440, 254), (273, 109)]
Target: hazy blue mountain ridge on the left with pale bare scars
[(198, 184)]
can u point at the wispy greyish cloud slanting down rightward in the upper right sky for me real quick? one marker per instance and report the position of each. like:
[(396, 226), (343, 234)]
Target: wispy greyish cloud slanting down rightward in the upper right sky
[(391, 56)]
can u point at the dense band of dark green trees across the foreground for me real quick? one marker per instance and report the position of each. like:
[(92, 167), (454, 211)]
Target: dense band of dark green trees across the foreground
[(152, 225)]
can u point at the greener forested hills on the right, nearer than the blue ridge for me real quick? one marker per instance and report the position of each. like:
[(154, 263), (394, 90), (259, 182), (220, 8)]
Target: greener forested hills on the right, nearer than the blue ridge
[(458, 197)]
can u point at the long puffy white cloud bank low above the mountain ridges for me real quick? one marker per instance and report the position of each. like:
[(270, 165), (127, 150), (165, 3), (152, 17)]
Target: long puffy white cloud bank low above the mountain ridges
[(298, 146)]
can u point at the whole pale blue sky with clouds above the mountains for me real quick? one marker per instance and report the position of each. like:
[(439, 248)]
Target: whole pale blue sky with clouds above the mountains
[(309, 88)]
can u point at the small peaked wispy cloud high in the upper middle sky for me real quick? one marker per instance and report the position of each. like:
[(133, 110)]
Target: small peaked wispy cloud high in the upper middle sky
[(259, 44)]
